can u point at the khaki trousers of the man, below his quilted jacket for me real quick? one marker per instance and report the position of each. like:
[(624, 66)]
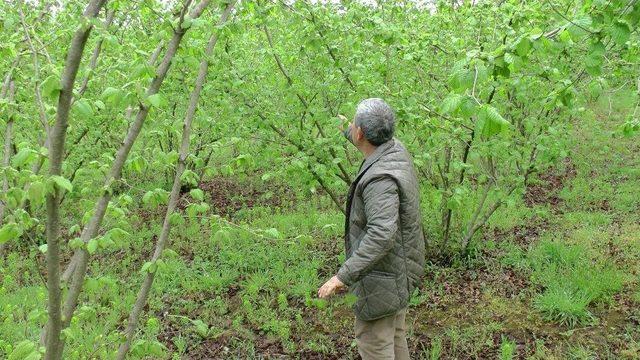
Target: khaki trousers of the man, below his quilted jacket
[(383, 339)]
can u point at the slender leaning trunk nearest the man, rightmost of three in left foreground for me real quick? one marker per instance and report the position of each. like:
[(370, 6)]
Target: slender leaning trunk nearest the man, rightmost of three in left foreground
[(143, 294)]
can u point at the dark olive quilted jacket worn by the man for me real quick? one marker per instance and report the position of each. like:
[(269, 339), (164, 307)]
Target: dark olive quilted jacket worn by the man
[(383, 233)]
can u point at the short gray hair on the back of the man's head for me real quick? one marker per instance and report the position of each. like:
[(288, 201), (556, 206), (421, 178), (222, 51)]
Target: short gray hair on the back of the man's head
[(377, 120)]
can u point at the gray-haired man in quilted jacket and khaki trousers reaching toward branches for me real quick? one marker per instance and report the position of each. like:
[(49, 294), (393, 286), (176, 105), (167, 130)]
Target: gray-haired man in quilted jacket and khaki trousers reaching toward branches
[(383, 235)]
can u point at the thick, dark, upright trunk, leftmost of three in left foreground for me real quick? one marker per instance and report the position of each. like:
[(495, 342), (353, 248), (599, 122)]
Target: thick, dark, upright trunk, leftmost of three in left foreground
[(56, 152)]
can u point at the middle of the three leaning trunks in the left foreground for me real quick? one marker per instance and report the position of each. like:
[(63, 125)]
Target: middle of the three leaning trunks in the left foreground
[(81, 257)]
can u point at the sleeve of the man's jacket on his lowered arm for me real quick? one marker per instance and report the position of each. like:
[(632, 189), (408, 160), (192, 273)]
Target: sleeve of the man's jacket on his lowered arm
[(381, 202)]
